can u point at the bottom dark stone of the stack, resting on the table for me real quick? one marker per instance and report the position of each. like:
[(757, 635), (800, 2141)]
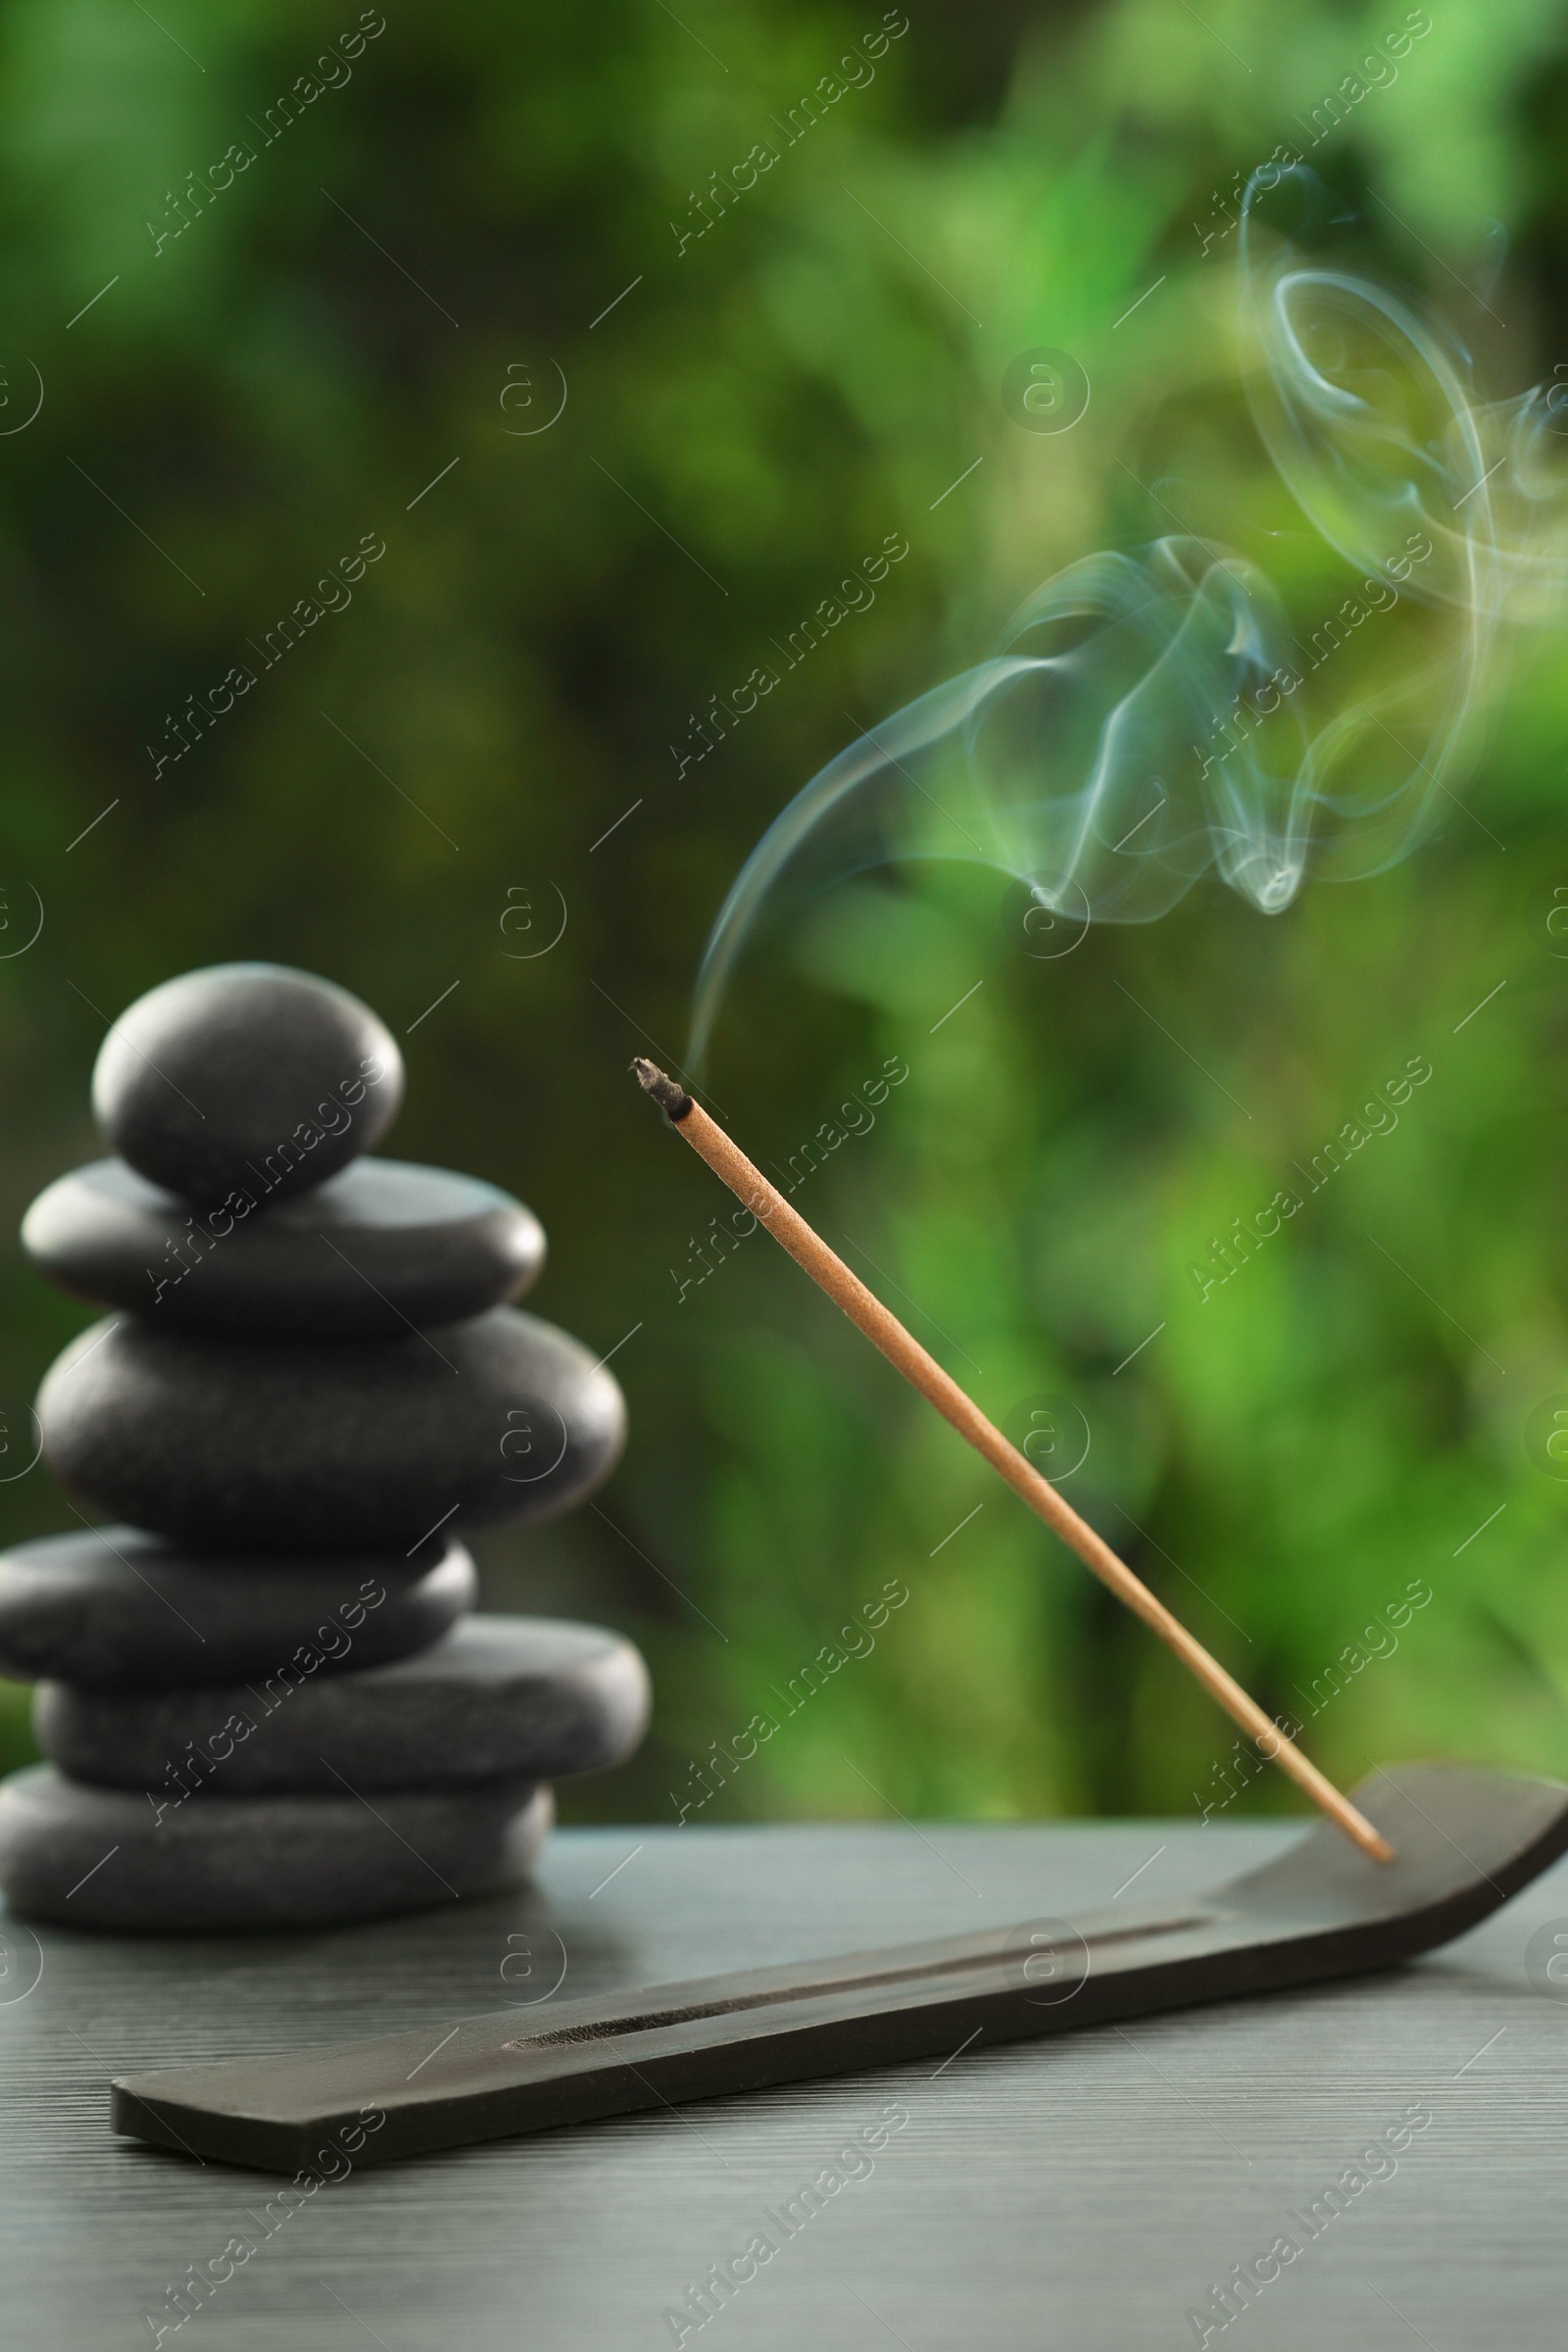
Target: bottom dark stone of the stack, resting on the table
[(95, 1857)]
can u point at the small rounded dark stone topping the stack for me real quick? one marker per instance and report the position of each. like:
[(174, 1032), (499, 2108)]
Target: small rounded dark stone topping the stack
[(246, 1076)]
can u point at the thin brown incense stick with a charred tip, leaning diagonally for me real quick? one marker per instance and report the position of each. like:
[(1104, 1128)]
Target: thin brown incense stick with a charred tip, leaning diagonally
[(923, 1372)]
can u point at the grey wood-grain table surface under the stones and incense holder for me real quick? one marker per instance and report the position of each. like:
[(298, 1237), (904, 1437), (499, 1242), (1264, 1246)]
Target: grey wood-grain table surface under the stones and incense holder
[(1080, 2191)]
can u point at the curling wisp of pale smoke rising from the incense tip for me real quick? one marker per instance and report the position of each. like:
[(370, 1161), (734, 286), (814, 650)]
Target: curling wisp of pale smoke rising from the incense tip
[(1151, 719)]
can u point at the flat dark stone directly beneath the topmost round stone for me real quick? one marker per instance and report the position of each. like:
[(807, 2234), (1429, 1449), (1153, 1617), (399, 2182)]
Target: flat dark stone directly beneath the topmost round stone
[(375, 1250)]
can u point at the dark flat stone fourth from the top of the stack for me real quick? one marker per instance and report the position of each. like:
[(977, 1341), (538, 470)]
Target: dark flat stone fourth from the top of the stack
[(119, 1608)]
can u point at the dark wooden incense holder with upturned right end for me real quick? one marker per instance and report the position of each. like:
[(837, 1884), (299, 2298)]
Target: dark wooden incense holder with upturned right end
[(1466, 1843)]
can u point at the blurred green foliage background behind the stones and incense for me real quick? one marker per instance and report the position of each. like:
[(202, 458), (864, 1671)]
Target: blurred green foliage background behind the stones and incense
[(368, 333)]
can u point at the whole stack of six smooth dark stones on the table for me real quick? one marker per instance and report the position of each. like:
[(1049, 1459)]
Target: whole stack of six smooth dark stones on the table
[(264, 1697)]
